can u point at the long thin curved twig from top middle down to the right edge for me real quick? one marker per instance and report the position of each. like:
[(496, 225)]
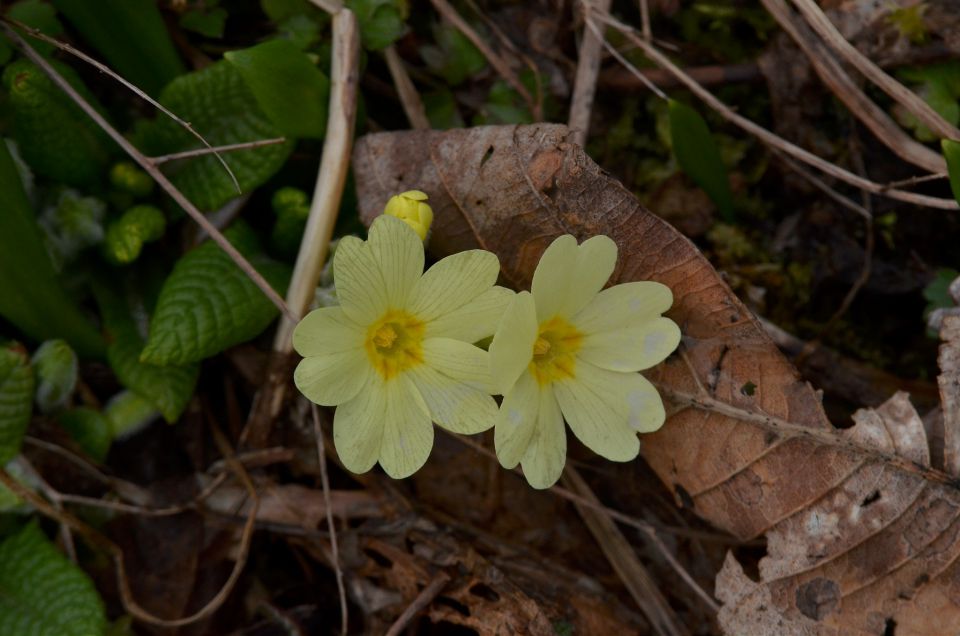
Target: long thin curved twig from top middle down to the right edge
[(767, 137)]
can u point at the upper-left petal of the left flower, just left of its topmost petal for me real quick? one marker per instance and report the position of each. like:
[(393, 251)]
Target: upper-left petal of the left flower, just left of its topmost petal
[(359, 282)]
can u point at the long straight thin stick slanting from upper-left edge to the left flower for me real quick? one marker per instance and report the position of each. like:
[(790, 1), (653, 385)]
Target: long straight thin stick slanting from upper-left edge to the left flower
[(150, 169)]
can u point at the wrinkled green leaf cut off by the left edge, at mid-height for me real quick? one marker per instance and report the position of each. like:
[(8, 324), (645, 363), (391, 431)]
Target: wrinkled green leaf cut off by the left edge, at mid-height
[(16, 401)]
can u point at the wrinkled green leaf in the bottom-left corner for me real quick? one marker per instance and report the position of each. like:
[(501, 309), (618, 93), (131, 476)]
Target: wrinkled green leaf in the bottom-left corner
[(42, 593)]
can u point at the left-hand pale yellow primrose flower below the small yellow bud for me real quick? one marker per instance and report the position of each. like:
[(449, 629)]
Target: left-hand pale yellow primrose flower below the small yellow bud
[(396, 354)]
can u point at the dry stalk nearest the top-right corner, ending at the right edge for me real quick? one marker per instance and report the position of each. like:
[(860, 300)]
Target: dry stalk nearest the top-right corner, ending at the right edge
[(900, 93)]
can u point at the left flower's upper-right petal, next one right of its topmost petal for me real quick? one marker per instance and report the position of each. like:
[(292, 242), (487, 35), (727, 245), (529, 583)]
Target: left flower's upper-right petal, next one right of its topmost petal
[(453, 282)]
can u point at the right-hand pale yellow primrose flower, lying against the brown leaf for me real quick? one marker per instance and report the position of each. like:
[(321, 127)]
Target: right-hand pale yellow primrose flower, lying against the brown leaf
[(570, 351)]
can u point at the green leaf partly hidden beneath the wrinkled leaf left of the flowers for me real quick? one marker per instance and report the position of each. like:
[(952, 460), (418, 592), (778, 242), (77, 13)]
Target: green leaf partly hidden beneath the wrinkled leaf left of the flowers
[(167, 388)]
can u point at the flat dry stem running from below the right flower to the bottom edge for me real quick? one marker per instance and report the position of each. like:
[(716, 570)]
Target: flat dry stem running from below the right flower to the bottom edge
[(624, 560)]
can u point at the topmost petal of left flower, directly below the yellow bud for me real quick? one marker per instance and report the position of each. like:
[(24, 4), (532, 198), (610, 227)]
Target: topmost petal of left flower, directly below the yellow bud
[(398, 251)]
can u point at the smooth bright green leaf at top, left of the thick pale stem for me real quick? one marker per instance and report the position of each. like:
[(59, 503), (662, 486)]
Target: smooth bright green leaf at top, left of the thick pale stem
[(288, 87)]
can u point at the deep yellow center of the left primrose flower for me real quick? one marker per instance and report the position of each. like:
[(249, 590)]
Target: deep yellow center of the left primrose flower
[(394, 343)]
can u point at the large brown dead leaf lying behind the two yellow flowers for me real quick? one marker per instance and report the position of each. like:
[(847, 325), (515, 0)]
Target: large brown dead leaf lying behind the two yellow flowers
[(862, 532)]
